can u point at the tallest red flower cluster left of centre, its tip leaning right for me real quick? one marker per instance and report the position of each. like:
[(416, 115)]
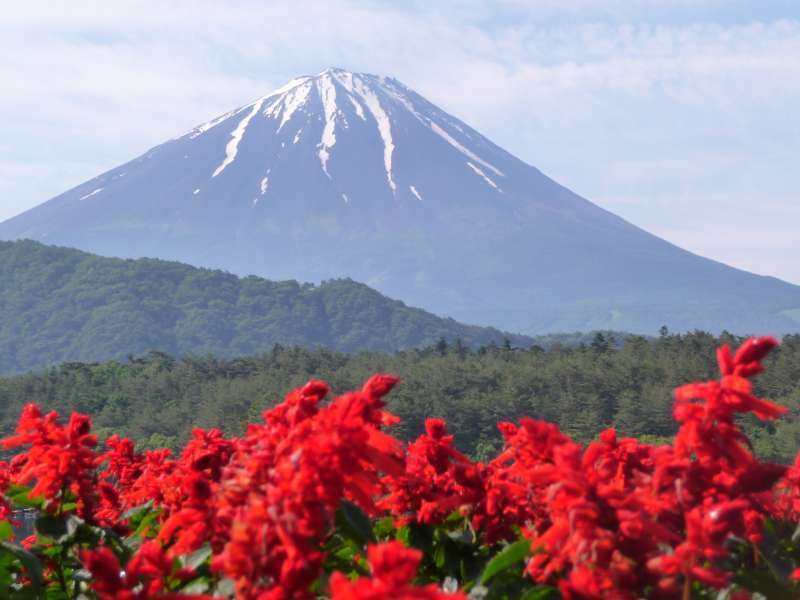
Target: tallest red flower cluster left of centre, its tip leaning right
[(283, 485)]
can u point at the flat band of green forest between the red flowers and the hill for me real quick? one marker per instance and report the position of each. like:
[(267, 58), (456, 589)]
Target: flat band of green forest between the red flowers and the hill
[(625, 383)]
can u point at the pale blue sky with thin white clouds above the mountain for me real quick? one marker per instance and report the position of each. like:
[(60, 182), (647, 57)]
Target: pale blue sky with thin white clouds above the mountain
[(679, 115)]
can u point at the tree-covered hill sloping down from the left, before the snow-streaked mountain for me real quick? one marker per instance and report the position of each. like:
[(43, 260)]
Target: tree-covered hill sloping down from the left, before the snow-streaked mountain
[(59, 304)]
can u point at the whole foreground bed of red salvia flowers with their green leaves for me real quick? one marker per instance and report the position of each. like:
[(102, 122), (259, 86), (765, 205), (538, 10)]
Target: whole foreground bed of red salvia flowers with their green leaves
[(319, 500)]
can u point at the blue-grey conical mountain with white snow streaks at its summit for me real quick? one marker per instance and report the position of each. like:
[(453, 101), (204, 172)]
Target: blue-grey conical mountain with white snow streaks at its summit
[(354, 175)]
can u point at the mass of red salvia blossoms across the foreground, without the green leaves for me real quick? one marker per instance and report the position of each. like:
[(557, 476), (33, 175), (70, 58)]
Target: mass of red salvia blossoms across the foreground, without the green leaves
[(616, 519)]
